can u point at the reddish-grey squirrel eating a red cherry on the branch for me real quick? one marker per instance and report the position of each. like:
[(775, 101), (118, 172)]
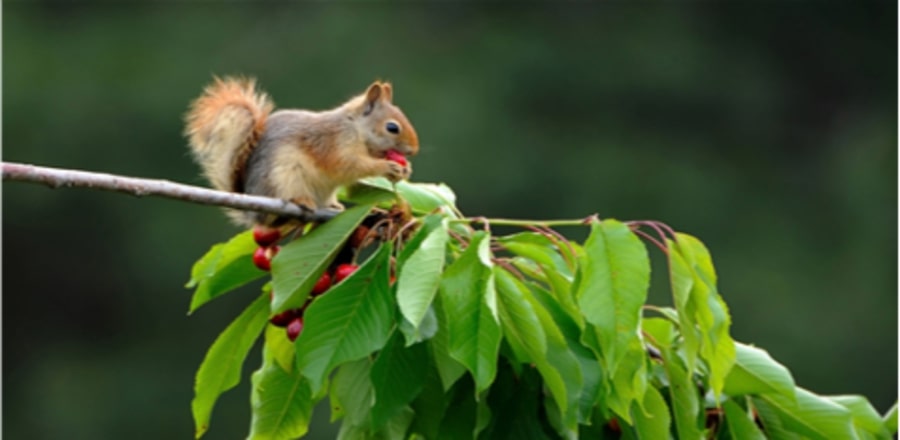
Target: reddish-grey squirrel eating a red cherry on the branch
[(297, 155)]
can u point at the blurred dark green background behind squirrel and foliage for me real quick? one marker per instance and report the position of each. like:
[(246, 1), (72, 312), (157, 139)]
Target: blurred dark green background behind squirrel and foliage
[(768, 130)]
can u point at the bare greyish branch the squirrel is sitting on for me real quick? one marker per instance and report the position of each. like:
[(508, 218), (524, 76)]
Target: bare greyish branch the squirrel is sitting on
[(57, 177)]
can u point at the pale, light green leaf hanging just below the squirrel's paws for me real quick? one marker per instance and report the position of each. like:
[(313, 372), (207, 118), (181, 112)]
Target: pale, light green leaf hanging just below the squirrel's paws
[(419, 276)]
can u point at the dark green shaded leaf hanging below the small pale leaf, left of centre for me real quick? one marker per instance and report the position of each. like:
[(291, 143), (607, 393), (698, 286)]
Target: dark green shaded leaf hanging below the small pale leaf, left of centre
[(397, 377)]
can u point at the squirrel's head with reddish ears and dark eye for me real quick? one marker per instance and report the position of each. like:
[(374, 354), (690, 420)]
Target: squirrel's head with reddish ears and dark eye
[(385, 127)]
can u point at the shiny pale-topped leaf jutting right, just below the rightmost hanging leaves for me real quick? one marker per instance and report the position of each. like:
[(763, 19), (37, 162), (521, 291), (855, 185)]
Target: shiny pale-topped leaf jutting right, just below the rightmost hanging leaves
[(755, 372)]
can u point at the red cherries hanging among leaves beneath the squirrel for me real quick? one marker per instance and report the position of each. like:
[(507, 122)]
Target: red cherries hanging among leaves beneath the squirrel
[(292, 320)]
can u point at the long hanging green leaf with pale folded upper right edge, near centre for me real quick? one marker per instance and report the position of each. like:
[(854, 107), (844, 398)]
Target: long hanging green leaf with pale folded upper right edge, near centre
[(469, 302)]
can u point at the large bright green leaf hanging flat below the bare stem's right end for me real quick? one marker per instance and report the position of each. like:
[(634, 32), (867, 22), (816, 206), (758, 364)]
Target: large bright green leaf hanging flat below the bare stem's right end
[(615, 276)]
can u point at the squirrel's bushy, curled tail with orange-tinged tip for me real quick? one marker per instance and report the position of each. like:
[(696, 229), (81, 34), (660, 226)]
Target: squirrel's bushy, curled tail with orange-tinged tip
[(223, 126)]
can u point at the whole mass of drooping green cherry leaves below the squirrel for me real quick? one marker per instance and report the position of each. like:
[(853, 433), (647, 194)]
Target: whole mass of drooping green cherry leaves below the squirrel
[(483, 336)]
